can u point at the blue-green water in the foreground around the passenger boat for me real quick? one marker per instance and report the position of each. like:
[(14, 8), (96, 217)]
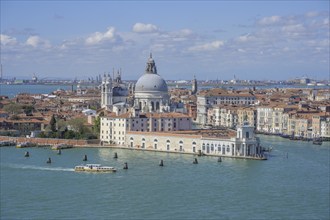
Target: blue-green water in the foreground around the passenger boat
[(292, 184)]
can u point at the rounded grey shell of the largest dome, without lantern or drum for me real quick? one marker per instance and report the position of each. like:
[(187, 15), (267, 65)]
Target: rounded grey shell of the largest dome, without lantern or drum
[(151, 82)]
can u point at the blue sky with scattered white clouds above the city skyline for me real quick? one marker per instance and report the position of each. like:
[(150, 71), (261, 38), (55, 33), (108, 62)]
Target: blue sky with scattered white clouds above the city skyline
[(257, 40)]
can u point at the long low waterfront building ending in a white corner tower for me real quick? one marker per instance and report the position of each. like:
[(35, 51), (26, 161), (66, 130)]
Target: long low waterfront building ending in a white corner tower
[(244, 145)]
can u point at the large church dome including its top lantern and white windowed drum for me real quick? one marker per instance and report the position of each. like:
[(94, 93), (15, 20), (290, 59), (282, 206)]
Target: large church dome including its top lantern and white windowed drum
[(151, 92)]
